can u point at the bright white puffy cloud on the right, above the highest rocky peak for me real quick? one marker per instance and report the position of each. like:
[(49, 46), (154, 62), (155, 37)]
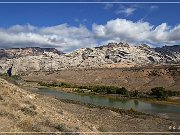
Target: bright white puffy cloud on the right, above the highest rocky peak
[(136, 32)]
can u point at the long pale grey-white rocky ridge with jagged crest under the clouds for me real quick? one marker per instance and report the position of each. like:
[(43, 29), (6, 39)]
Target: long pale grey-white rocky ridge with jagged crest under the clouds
[(111, 55)]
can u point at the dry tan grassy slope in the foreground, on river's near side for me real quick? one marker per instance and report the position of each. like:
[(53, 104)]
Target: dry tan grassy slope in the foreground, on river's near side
[(25, 111)]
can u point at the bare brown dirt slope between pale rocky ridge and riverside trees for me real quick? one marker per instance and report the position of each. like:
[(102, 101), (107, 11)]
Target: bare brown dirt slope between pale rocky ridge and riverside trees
[(140, 78)]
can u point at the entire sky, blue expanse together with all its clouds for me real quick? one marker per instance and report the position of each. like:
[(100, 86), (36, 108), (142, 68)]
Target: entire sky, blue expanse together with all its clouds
[(68, 27)]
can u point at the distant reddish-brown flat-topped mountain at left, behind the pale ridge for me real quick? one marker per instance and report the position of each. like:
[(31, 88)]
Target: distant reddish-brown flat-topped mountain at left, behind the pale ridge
[(28, 51)]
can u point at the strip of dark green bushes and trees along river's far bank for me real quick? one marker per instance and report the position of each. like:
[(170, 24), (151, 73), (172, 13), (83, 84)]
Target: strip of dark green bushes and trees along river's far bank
[(158, 93)]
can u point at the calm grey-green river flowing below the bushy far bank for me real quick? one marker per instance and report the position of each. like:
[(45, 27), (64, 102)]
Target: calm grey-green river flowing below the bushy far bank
[(165, 110)]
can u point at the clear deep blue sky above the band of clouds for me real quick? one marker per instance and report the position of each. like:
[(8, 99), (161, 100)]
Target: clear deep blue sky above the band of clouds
[(54, 14)]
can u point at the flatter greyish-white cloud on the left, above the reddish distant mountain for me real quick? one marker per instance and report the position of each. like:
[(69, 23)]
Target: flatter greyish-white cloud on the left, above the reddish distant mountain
[(62, 36)]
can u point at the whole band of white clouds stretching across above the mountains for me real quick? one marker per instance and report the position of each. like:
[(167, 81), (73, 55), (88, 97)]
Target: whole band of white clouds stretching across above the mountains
[(67, 38)]
